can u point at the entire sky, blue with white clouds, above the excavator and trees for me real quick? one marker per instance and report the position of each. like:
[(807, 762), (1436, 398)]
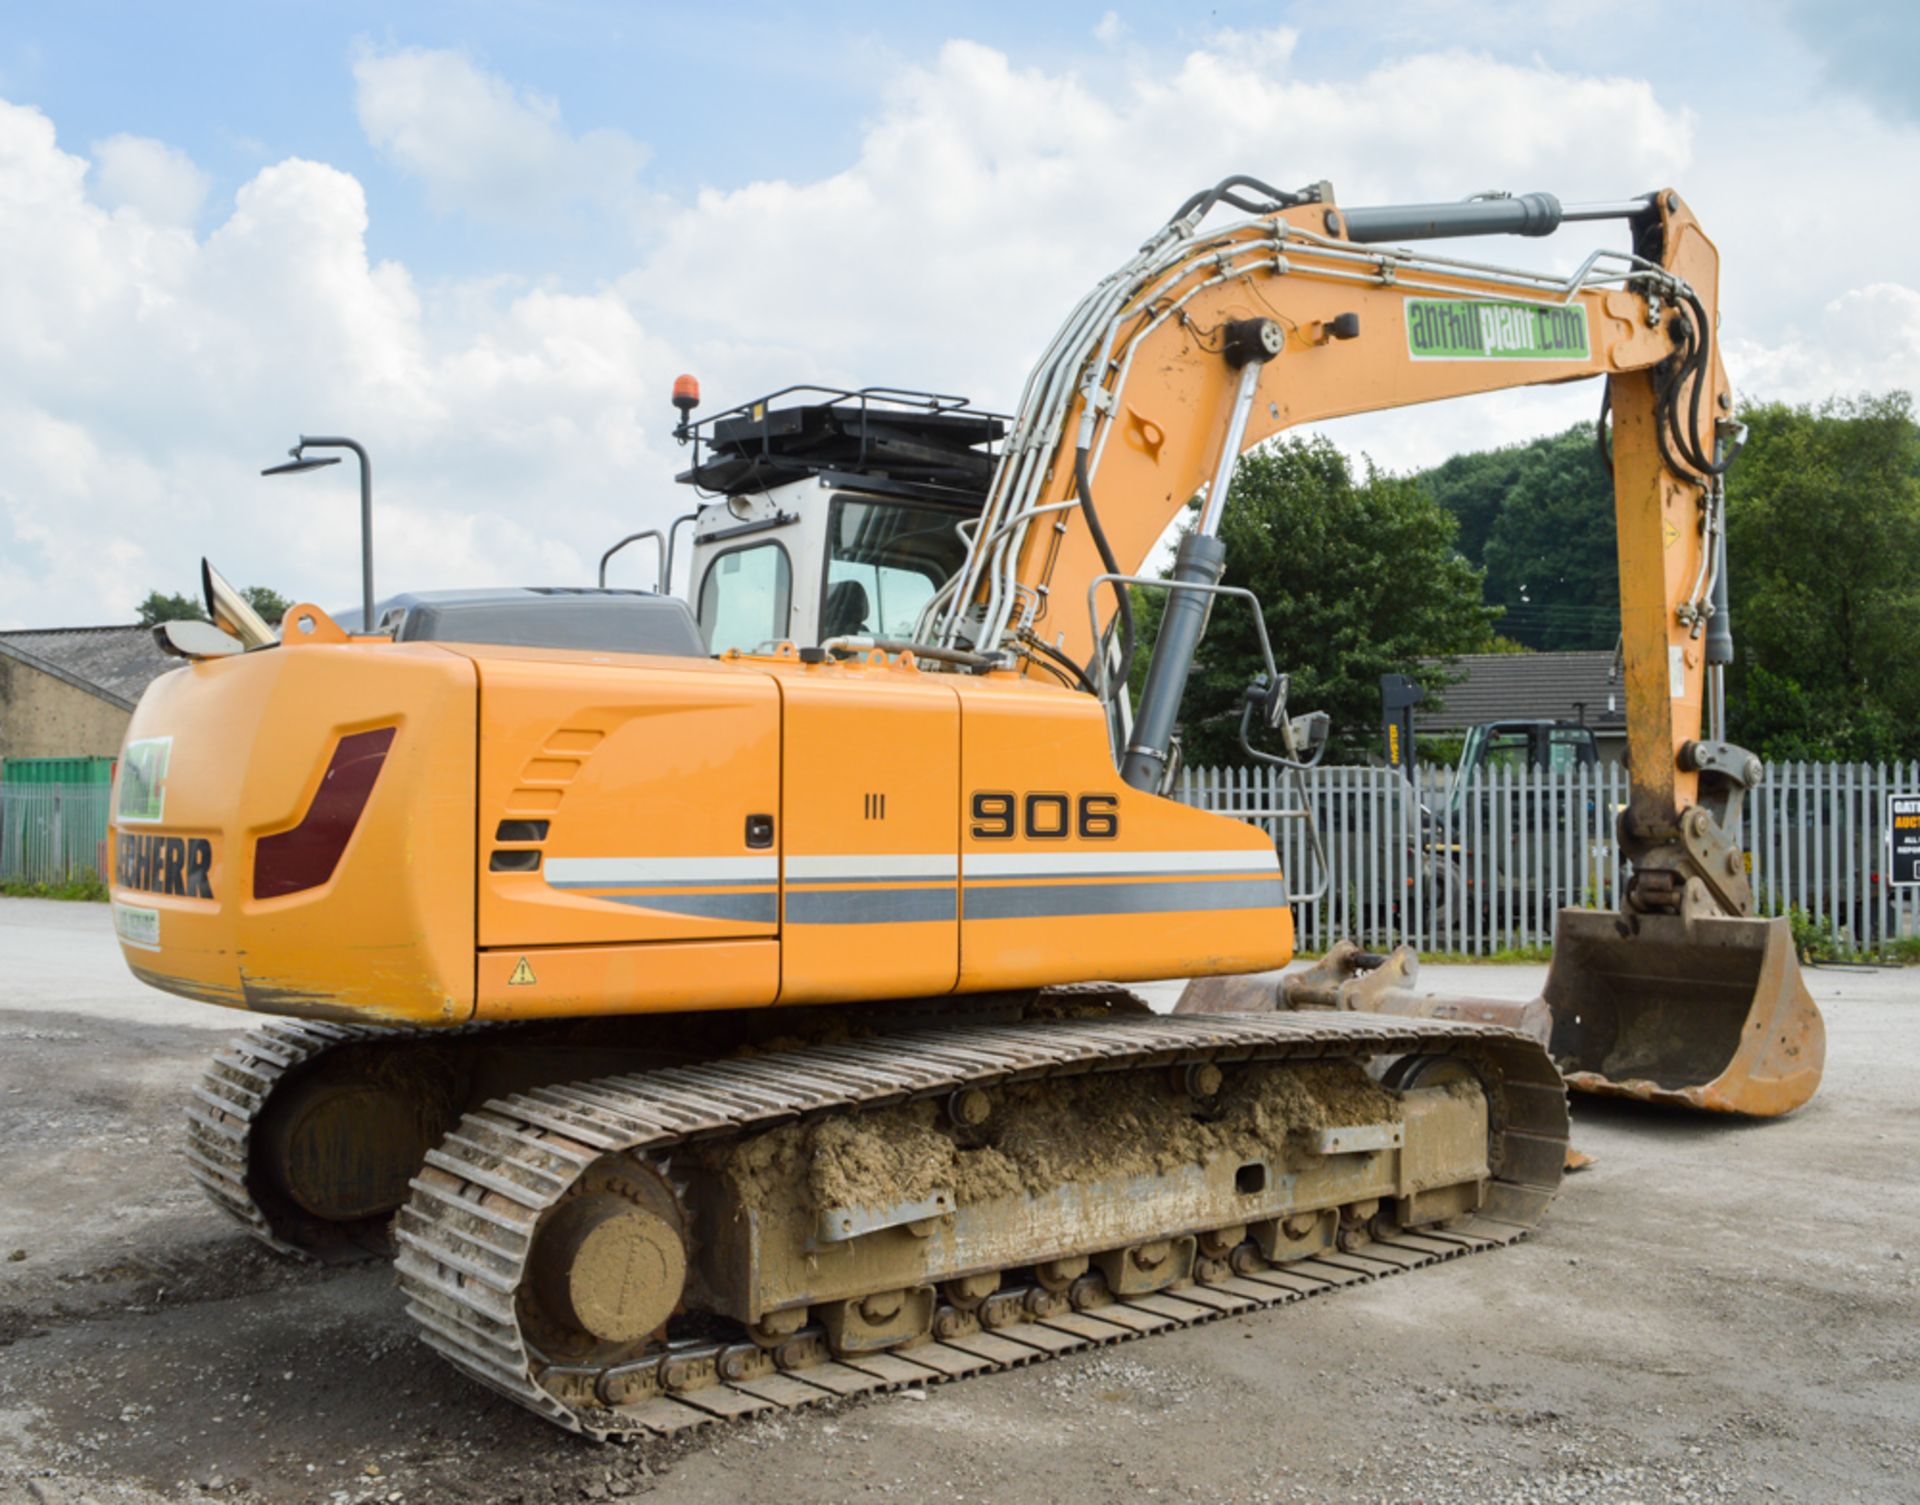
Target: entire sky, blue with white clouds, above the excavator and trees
[(487, 237)]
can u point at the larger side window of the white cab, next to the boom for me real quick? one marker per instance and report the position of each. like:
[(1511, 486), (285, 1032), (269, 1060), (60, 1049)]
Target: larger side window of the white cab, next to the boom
[(886, 560)]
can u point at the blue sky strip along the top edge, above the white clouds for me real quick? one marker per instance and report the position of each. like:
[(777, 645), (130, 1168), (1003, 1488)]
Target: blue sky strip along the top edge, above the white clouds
[(731, 93)]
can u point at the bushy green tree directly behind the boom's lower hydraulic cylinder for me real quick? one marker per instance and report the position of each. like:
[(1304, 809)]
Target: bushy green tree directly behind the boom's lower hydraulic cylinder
[(1356, 575)]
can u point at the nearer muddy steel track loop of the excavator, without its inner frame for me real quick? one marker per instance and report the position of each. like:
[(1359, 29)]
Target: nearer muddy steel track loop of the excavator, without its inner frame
[(468, 1231)]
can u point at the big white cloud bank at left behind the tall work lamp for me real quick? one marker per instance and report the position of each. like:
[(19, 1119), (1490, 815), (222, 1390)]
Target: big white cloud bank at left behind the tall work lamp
[(147, 375)]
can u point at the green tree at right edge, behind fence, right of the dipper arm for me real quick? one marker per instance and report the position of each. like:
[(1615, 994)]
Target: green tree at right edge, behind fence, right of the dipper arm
[(1825, 577)]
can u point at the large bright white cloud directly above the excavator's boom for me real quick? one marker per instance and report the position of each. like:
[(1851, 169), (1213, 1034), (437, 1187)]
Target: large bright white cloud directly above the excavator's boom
[(986, 199)]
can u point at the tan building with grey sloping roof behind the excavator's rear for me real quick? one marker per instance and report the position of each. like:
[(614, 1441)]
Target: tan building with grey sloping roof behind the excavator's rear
[(70, 692)]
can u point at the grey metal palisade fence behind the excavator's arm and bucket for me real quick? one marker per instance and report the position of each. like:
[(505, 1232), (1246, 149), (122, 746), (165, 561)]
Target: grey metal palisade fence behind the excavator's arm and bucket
[(1479, 865)]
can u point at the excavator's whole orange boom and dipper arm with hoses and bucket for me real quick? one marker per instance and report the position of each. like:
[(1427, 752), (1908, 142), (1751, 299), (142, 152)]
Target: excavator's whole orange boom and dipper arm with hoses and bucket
[(1209, 343)]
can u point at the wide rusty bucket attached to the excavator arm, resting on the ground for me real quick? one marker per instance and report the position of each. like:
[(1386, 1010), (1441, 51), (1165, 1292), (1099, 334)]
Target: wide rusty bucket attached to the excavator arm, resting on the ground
[(1708, 1013)]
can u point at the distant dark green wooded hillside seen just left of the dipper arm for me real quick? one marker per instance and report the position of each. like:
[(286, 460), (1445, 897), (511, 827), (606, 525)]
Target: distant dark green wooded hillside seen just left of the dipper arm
[(1539, 517)]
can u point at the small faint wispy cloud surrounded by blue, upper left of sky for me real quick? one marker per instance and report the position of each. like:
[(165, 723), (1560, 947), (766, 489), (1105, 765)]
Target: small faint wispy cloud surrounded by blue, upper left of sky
[(483, 147)]
